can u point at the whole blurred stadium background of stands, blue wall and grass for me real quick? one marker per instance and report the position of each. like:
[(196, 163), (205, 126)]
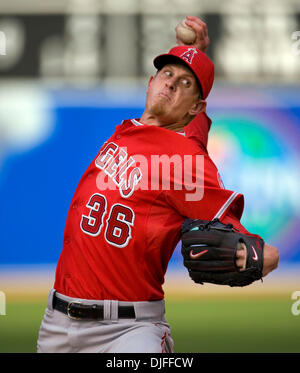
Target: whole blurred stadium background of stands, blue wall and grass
[(70, 71)]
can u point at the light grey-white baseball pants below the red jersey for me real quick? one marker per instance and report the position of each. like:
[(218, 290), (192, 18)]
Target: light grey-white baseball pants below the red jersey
[(149, 332)]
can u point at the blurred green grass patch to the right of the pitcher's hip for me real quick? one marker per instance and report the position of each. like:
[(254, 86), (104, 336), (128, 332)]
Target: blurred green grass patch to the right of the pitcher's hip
[(234, 325)]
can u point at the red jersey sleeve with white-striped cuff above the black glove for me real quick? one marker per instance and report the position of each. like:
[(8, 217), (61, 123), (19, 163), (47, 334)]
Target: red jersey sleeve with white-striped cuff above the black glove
[(198, 193)]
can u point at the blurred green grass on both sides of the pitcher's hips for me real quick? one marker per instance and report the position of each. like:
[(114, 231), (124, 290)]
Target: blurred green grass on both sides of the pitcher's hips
[(211, 324)]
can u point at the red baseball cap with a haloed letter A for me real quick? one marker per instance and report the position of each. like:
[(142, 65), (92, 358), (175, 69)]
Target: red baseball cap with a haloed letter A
[(197, 61)]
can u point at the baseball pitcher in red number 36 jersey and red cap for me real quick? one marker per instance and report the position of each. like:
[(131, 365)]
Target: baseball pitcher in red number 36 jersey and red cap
[(126, 215)]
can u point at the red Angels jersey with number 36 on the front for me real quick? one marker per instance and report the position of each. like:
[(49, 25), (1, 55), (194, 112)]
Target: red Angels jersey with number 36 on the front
[(125, 216)]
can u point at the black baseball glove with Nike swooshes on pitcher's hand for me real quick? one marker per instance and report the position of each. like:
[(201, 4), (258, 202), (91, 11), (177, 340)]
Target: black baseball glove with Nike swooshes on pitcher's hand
[(209, 253)]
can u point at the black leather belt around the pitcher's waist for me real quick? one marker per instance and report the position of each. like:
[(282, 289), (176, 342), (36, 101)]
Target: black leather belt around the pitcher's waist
[(78, 311)]
